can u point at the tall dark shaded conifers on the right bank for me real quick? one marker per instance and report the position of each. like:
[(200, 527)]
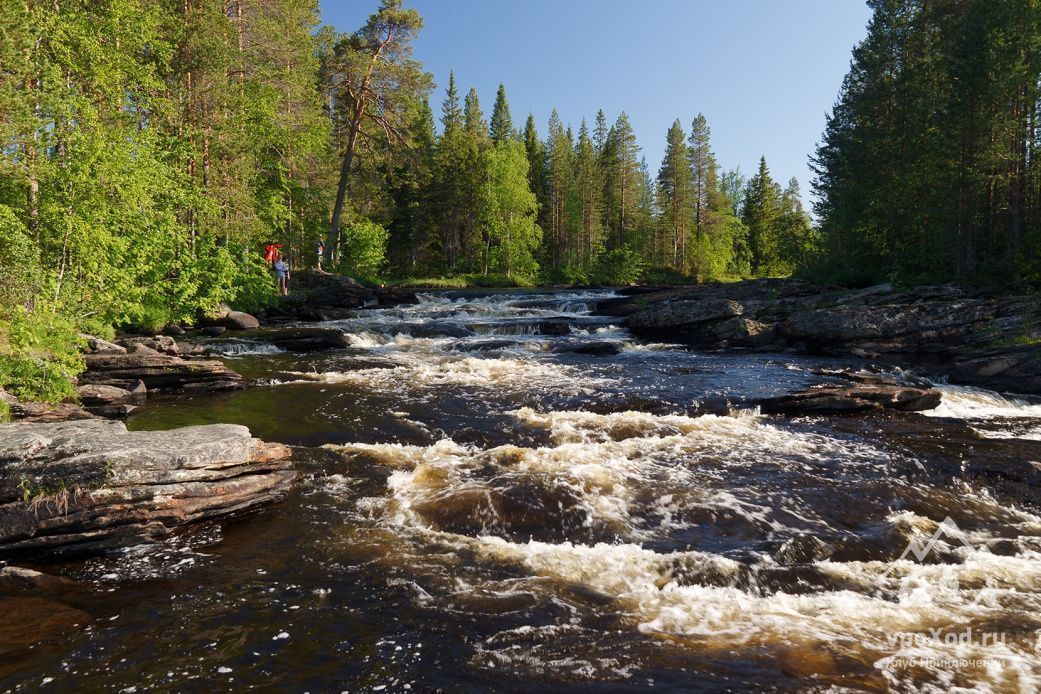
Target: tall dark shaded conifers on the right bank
[(927, 170)]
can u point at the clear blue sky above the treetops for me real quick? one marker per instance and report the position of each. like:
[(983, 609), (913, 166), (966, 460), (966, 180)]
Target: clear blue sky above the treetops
[(764, 72)]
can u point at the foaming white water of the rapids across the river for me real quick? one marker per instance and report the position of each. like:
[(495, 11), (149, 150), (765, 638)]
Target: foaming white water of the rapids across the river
[(611, 501)]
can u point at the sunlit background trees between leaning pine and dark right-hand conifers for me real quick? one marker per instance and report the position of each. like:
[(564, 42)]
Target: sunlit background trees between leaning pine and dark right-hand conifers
[(486, 197)]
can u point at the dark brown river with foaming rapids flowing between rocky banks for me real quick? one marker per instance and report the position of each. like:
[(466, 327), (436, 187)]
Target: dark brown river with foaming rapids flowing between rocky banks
[(509, 494)]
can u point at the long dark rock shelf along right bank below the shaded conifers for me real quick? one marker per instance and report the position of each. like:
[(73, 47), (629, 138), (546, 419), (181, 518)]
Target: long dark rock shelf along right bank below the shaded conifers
[(971, 338)]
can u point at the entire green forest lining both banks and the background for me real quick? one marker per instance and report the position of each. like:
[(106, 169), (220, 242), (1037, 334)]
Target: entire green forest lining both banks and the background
[(151, 149)]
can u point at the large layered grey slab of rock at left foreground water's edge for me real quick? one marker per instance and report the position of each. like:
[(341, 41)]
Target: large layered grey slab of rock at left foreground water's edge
[(87, 486)]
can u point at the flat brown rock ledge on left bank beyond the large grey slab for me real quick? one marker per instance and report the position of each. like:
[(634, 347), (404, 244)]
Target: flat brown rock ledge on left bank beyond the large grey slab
[(158, 372)]
